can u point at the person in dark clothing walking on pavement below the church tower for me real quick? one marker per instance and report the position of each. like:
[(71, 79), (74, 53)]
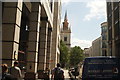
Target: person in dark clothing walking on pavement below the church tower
[(57, 73)]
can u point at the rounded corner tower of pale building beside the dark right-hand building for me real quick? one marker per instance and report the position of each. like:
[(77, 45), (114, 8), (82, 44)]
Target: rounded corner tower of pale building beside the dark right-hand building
[(104, 38)]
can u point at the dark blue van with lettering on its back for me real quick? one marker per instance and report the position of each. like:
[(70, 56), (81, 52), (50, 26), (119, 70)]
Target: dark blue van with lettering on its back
[(101, 68)]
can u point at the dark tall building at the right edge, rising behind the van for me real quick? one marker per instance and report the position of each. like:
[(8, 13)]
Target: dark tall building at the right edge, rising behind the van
[(113, 19)]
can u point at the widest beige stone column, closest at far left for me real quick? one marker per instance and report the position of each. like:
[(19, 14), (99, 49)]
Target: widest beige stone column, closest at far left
[(11, 31)]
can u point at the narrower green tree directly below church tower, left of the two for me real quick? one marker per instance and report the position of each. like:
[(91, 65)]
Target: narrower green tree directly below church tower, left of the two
[(64, 54)]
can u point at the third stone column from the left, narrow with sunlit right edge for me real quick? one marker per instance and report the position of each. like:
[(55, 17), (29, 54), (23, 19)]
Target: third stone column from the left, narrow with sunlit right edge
[(43, 46)]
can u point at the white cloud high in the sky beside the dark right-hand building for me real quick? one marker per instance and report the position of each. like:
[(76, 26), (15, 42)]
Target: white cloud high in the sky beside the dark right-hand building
[(97, 10)]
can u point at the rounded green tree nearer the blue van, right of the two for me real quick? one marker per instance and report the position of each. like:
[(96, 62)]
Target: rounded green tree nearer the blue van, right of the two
[(76, 56)]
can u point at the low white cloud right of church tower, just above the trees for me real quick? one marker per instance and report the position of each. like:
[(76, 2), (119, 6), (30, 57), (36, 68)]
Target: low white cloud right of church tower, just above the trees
[(82, 43)]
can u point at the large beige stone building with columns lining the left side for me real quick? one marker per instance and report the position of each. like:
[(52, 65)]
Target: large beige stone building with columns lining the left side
[(27, 30)]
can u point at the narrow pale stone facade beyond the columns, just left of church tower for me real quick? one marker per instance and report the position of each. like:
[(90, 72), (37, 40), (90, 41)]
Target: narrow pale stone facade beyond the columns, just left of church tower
[(55, 56)]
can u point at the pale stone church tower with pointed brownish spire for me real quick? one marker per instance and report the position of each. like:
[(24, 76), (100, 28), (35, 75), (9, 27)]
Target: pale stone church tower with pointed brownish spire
[(66, 32)]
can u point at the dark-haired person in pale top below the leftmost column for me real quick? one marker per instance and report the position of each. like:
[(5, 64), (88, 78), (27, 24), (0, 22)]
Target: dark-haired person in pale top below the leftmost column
[(15, 71)]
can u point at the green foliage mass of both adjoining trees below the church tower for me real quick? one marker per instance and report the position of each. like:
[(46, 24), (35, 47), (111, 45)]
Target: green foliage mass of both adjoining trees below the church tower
[(71, 57)]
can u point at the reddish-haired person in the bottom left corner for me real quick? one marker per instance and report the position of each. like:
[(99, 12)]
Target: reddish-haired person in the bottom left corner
[(5, 74)]
